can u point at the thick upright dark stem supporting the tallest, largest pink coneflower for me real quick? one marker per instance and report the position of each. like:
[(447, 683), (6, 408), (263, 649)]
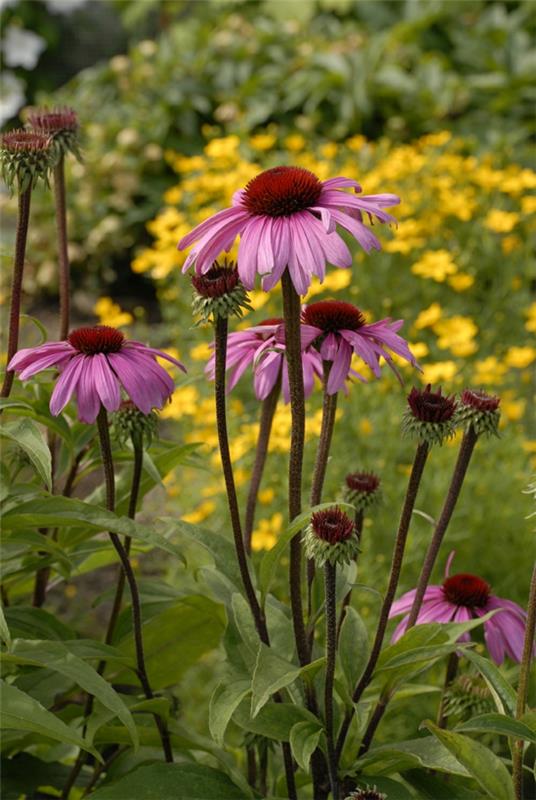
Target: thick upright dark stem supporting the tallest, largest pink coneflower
[(291, 312)]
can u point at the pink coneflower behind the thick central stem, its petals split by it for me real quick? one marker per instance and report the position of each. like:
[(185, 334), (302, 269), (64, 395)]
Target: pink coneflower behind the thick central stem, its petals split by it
[(263, 347)]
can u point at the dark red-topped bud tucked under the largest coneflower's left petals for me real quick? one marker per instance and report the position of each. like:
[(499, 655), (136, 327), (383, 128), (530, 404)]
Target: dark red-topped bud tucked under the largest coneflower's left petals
[(219, 293)]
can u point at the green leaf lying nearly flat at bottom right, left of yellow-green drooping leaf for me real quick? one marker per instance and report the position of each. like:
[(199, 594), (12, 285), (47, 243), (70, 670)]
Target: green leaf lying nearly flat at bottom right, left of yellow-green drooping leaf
[(400, 756)]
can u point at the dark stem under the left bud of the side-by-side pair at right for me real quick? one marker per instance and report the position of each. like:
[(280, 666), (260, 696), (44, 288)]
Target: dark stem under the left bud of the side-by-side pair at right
[(396, 565)]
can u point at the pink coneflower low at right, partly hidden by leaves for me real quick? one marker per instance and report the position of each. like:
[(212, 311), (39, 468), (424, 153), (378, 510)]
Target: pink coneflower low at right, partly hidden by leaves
[(463, 597)]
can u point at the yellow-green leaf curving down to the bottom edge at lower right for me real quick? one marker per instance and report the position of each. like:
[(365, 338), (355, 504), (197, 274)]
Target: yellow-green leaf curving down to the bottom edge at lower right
[(486, 768)]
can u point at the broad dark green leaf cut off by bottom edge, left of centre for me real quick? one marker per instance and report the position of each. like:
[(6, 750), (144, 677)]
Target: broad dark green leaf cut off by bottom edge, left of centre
[(171, 782)]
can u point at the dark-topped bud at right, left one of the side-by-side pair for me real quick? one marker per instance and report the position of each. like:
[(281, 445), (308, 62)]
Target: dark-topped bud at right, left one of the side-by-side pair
[(430, 416)]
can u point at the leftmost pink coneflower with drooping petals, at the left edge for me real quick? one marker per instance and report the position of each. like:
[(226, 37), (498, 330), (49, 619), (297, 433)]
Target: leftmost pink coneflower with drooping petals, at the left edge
[(94, 364)]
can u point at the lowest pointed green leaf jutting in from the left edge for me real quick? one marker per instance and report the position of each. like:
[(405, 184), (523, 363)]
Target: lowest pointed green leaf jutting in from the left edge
[(19, 711)]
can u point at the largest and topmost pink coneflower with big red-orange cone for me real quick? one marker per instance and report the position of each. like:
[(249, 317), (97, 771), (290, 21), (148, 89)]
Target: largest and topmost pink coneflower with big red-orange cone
[(286, 216)]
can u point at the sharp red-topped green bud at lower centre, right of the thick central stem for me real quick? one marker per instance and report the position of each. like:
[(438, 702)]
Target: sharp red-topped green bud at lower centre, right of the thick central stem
[(331, 537)]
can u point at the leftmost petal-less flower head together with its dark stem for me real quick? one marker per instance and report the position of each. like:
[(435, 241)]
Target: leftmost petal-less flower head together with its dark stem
[(26, 158)]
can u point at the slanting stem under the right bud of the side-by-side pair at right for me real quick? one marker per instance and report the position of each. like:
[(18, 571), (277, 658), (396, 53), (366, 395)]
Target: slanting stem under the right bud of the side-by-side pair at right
[(464, 456)]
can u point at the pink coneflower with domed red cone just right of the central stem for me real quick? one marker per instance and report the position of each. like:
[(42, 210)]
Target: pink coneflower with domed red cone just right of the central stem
[(338, 330)]
